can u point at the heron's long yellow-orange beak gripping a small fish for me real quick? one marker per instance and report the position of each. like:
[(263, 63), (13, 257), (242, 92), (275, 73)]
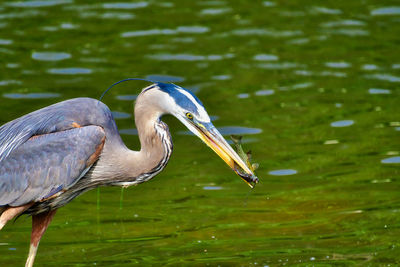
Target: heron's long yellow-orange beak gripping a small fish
[(211, 136)]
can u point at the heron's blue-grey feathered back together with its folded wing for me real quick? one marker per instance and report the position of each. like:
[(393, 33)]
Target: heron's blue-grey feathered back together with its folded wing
[(47, 151)]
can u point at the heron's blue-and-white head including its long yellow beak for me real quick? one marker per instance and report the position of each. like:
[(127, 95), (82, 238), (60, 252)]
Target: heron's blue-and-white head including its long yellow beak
[(187, 108)]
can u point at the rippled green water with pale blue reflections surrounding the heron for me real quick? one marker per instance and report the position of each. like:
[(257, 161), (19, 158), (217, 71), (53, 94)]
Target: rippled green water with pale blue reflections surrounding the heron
[(317, 81)]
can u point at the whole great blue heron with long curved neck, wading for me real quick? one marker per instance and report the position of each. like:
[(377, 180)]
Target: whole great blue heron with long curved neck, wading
[(52, 155)]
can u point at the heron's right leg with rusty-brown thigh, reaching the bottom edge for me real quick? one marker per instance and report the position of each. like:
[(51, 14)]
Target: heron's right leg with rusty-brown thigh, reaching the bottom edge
[(40, 222)]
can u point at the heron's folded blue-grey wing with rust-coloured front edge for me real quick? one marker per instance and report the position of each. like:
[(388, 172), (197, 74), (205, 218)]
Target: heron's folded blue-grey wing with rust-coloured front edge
[(47, 164)]
